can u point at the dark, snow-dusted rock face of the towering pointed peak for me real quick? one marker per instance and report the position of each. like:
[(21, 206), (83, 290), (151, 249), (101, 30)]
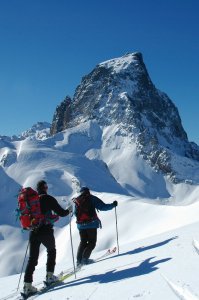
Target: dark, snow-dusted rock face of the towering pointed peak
[(120, 91)]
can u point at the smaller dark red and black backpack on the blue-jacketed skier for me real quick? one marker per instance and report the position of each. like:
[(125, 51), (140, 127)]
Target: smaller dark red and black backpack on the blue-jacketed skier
[(85, 210)]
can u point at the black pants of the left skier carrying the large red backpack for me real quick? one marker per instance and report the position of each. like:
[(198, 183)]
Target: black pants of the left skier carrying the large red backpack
[(45, 236)]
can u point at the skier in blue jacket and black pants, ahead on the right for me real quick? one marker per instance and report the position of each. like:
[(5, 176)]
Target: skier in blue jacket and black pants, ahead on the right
[(88, 222)]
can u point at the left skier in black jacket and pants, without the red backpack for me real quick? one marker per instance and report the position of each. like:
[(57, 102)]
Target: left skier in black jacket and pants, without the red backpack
[(43, 235)]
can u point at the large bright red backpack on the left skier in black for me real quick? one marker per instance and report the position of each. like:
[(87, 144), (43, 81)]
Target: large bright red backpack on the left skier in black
[(29, 210)]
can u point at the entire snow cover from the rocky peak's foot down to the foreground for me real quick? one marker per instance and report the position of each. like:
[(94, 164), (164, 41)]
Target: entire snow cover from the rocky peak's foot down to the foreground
[(157, 220)]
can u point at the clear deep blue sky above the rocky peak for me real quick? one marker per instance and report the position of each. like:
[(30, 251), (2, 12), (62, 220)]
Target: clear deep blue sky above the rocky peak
[(48, 45)]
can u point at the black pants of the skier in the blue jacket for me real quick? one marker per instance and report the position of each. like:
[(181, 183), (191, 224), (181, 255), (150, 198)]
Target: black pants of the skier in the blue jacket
[(88, 239)]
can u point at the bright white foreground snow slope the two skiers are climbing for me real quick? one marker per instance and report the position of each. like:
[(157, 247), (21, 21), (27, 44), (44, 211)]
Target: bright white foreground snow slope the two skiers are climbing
[(156, 261)]
